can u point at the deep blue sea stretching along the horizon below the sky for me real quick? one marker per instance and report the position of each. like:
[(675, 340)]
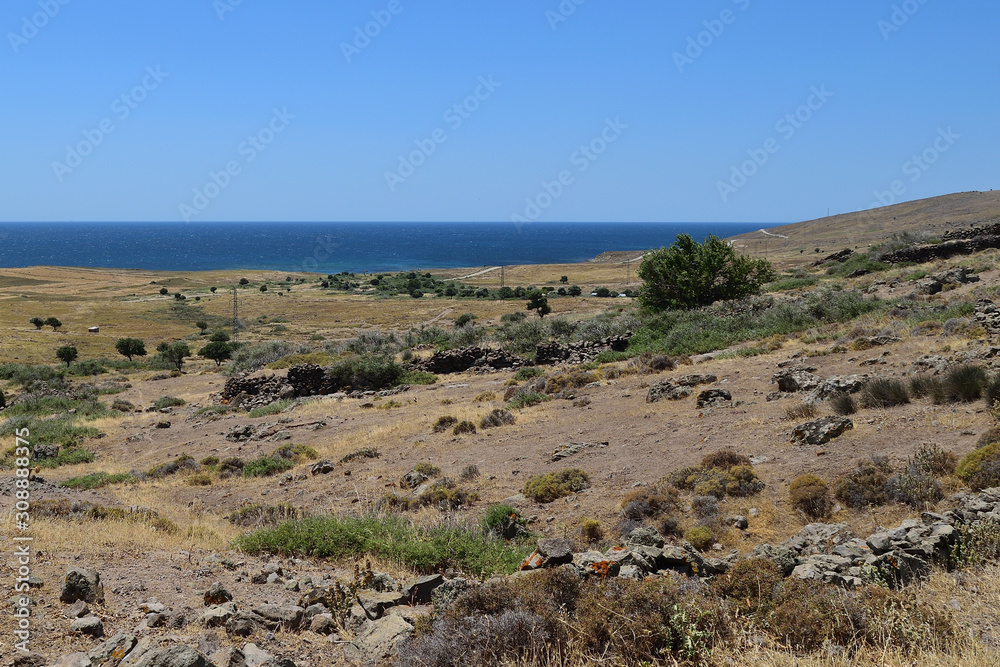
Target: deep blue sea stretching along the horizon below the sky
[(331, 247)]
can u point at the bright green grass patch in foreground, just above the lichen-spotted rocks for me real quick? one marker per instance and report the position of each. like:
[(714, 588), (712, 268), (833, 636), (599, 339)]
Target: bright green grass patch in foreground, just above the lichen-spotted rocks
[(392, 538)]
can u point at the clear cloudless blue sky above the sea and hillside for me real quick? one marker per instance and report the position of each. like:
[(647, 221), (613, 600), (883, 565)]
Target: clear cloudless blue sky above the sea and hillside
[(580, 110)]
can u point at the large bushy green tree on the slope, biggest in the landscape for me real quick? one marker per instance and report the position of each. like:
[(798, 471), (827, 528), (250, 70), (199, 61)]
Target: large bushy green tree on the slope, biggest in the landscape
[(689, 274)]
